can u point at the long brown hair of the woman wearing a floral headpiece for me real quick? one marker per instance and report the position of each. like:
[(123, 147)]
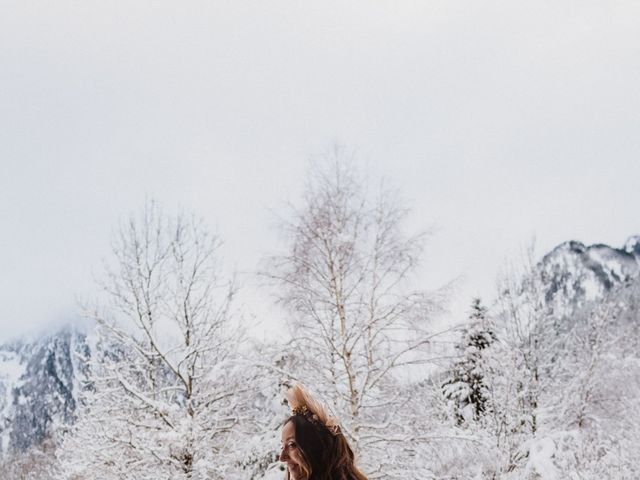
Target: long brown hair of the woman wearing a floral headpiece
[(325, 453)]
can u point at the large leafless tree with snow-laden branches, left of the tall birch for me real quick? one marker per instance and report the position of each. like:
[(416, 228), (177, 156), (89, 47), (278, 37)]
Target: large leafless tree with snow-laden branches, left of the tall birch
[(165, 392)]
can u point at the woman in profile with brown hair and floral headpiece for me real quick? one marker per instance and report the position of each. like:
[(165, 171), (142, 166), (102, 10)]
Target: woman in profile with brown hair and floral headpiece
[(313, 446)]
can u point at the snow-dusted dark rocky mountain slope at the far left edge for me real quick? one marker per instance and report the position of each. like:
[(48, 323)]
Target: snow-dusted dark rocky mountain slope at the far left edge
[(39, 384)]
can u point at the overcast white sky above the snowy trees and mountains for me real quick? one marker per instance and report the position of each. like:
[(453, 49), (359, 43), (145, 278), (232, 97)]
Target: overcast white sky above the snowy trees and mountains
[(498, 120)]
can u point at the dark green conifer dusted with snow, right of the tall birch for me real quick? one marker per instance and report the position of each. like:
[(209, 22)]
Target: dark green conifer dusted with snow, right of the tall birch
[(465, 387)]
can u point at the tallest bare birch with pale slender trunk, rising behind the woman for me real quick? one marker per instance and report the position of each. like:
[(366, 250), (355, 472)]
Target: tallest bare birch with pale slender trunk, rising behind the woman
[(354, 320)]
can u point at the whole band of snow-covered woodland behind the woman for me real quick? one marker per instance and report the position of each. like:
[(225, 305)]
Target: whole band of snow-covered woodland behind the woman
[(542, 381)]
